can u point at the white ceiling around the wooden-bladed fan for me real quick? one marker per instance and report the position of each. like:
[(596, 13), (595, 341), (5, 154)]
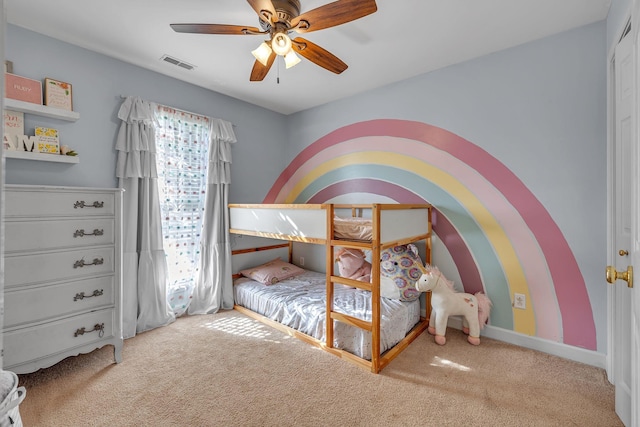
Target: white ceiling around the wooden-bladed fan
[(402, 39)]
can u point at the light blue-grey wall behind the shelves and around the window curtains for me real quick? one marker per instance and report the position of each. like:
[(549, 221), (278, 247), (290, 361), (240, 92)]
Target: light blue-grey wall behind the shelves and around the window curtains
[(98, 82)]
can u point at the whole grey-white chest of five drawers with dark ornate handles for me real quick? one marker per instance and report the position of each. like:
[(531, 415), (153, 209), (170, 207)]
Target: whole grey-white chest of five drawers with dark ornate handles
[(62, 259)]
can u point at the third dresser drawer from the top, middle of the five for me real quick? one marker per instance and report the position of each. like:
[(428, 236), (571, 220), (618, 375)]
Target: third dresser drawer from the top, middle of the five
[(56, 266)]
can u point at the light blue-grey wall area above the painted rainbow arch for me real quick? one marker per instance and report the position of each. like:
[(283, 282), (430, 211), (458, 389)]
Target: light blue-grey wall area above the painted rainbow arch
[(539, 108)]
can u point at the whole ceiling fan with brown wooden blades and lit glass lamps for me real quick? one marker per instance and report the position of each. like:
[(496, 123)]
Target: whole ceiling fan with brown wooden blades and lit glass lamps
[(279, 18)]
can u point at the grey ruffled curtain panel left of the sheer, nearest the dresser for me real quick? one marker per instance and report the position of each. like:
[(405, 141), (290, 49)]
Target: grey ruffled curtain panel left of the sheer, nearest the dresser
[(144, 275)]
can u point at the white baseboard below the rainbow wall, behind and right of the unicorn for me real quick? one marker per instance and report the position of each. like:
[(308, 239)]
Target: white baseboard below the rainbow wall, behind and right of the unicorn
[(565, 351)]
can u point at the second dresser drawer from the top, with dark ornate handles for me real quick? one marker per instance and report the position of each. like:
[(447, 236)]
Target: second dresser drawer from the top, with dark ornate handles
[(43, 235)]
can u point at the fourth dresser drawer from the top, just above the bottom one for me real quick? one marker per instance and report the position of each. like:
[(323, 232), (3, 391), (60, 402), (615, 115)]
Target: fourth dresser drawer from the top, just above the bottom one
[(35, 304)]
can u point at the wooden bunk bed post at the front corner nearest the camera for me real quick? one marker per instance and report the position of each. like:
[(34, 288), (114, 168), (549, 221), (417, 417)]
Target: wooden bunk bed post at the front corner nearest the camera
[(375, 290)]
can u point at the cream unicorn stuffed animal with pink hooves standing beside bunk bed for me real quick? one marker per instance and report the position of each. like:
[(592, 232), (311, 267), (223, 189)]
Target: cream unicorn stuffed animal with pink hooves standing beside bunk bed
[(445, 302)]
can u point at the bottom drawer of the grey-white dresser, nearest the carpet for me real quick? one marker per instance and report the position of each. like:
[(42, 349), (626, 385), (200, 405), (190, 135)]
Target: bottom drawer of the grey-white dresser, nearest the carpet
[(27, 344)]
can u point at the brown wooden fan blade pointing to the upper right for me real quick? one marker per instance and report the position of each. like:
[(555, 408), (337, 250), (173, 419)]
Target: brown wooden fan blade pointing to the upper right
[(333, 14)]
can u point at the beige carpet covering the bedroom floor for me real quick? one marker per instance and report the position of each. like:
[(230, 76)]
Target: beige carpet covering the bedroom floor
[(229, 370)]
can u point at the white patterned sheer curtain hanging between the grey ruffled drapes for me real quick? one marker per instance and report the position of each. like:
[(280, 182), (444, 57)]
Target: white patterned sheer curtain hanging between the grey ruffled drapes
[(182, 145)]
